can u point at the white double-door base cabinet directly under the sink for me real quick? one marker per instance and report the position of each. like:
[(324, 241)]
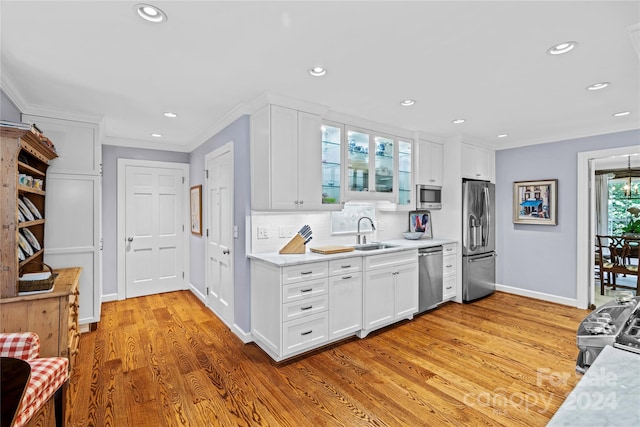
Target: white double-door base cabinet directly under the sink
[(390, 289)]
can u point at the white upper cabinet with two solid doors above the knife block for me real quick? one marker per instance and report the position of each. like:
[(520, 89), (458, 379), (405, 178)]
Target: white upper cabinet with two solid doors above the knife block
[(286, 160)]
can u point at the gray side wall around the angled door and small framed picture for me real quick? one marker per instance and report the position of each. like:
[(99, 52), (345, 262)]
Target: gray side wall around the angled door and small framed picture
[(238, 133)]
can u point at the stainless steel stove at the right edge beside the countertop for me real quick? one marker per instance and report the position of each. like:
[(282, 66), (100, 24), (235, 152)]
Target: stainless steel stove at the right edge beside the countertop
[(616, 323)]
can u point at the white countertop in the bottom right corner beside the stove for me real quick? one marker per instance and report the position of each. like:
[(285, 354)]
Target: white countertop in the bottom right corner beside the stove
[(607, 395)]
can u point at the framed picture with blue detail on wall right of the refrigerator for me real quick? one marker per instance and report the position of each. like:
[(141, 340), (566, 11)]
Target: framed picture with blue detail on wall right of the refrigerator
[(542, 208)]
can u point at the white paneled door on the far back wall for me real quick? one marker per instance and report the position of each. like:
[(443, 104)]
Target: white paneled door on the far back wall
[(154, 230)]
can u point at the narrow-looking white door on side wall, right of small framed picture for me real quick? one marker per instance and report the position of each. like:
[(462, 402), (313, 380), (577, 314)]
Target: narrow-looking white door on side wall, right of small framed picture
[(219, 214)]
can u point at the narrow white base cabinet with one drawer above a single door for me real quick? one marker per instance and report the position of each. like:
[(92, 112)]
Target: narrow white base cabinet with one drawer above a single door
[(345, 297)]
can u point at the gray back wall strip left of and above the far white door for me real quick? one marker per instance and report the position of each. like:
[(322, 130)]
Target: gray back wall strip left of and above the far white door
[(110, 156)]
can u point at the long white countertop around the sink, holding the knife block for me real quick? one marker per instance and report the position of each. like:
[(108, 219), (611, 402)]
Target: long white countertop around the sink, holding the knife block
[(282, 260)]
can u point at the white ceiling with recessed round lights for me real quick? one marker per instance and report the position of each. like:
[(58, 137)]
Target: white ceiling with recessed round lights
[(485, 62)]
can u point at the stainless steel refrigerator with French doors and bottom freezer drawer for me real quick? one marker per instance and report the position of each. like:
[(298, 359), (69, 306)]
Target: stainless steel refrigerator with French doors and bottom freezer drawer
[(478, 239)]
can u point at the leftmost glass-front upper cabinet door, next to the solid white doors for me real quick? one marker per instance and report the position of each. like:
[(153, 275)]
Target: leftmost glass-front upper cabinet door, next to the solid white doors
[(331, 163)]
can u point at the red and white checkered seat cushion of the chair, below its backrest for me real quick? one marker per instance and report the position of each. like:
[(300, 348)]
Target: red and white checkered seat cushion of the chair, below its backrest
[(47, 375)]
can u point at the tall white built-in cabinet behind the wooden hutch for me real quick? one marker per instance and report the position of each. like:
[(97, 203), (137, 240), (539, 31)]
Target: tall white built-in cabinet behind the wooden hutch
[(74, 202)]
